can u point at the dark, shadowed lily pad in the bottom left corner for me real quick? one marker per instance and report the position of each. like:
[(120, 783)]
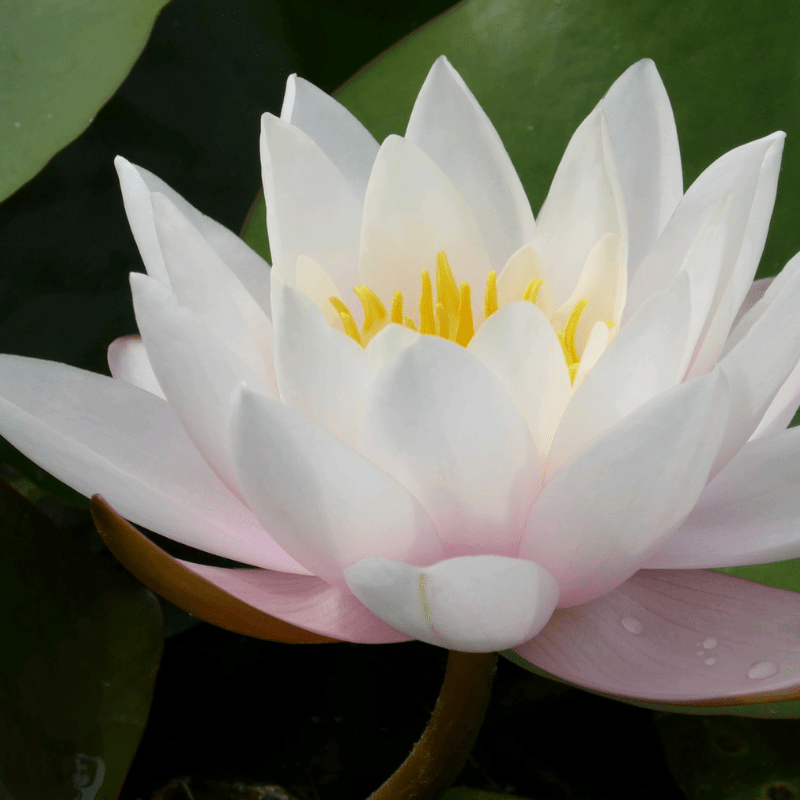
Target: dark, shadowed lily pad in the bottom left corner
[(83, 642)]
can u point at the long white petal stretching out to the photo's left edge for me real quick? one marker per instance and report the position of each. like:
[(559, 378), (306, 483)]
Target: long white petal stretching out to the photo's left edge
[(97, 434)]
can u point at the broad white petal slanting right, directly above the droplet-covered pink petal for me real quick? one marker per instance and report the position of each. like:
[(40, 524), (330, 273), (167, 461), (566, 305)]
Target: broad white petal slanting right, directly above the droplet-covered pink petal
[(611, 506)]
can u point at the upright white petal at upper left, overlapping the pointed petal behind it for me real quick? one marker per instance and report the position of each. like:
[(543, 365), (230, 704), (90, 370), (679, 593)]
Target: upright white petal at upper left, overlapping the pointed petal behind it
[(312, 209)]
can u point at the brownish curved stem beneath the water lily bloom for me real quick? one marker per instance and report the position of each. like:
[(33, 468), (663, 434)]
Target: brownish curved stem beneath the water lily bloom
[(441, 753)]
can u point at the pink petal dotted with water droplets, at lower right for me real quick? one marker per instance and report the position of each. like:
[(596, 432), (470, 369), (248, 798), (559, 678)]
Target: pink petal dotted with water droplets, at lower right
[(678, 637)]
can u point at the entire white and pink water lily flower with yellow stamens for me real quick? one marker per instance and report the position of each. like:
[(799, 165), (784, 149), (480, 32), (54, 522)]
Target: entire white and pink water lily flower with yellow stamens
[(438, 418)]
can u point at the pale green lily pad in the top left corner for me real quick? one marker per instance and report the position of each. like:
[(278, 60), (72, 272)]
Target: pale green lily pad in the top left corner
[(59, 63)]
